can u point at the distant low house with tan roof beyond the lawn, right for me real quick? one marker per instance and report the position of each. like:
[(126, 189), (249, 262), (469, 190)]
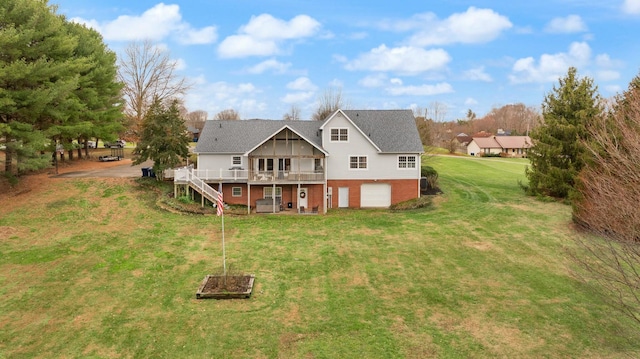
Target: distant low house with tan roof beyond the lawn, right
[(508, 146)]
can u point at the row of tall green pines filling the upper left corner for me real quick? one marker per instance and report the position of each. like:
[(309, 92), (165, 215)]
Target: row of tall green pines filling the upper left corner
[(58, 83)]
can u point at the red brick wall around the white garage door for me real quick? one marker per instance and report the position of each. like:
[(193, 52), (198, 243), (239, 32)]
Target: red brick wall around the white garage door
[(401, 190)]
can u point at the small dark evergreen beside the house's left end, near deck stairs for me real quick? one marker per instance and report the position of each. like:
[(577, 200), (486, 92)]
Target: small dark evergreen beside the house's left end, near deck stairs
[(163, 137)]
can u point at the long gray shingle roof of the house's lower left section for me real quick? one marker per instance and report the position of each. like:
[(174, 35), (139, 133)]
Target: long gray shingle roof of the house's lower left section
[(240, 136)]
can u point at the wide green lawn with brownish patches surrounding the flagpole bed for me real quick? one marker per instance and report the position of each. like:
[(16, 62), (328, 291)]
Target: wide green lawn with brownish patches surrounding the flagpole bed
[(482, 274)]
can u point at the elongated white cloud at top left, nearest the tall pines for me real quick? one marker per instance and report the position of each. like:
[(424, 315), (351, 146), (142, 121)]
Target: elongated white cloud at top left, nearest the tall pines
[(157, 23)]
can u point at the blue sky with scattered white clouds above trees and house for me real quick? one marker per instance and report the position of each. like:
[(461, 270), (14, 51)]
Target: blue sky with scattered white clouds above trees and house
[(262, 57)]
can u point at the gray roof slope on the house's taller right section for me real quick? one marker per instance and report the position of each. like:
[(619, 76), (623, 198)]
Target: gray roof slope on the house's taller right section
[(392, 131)]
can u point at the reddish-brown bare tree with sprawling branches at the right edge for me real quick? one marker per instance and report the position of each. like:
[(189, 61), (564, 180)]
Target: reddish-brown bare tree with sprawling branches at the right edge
[(606, 203)]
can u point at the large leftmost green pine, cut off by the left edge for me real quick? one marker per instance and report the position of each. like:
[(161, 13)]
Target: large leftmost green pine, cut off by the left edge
[(37, 75)]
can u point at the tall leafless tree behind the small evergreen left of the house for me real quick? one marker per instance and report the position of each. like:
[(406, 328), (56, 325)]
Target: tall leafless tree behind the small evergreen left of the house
[(147, 72)]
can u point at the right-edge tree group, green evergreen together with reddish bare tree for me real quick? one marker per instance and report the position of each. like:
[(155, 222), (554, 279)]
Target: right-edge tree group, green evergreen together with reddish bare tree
[(587, 152)]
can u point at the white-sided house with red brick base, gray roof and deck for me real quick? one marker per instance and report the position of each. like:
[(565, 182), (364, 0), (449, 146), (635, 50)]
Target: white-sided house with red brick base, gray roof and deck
[(353, 159)]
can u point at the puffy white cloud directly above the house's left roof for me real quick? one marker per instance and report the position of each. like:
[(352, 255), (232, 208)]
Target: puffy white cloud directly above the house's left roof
[(264, 34)]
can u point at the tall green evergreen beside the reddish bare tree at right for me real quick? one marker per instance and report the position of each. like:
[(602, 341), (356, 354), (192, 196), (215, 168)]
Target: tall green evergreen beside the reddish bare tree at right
[(558, 154)]
